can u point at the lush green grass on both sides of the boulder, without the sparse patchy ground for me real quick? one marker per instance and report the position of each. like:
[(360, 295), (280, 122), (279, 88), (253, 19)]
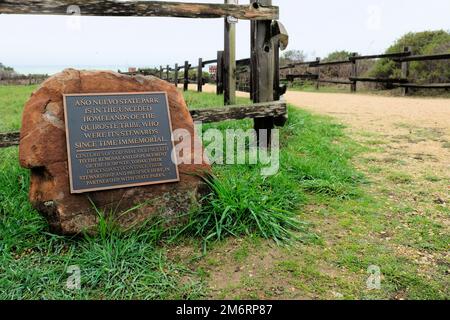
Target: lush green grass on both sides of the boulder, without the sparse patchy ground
[(315, 159)]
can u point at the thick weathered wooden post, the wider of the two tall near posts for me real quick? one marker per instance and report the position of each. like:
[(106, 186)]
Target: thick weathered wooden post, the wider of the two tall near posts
[(262, 69)]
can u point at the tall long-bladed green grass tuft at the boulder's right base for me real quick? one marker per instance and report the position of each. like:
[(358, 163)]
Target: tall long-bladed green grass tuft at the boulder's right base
[(245, 205)]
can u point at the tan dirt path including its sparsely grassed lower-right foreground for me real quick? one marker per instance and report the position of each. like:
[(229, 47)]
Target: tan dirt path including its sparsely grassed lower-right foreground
[(403, 221)]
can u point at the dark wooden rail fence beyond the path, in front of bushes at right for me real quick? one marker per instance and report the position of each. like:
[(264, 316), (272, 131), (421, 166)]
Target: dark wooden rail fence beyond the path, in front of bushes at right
[(404, 58)]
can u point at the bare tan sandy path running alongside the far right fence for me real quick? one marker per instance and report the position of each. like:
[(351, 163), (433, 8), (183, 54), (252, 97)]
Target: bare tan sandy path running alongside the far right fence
[(416, 127)]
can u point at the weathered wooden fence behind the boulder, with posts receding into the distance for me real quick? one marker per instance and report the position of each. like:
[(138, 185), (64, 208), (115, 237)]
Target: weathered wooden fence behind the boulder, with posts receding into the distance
[(265, 45)]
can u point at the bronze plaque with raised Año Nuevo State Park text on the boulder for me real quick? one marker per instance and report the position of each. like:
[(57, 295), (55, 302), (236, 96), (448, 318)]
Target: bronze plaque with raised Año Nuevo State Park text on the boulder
[(118, 140)]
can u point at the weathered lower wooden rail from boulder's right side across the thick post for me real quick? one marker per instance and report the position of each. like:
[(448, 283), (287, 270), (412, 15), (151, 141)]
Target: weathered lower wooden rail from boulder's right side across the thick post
[(254, 111)]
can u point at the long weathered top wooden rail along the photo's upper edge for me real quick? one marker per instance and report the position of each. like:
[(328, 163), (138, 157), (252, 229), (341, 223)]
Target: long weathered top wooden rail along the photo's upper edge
[(140, 9)]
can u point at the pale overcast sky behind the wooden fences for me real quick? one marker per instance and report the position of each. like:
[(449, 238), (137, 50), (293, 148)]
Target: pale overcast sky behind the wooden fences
[(49, 43)]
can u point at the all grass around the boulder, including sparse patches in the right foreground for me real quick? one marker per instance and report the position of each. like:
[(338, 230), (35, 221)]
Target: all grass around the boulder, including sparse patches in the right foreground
[(338, 236)]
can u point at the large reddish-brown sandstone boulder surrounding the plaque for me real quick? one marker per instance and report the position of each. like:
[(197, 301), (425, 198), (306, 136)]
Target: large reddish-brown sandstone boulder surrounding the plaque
[(43, 150)]
